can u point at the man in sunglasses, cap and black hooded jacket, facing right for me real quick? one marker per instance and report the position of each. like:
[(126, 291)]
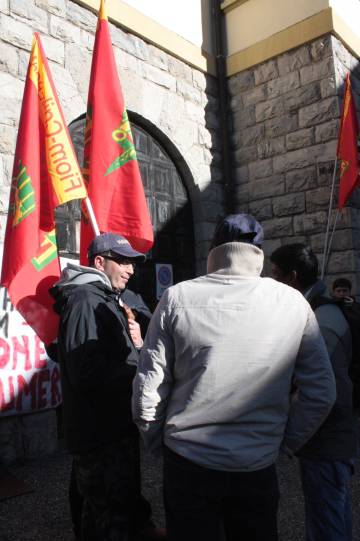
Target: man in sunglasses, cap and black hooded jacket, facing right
[(98, 349)]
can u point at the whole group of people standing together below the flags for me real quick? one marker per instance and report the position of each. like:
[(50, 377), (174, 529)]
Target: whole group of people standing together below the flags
[(231, 369)]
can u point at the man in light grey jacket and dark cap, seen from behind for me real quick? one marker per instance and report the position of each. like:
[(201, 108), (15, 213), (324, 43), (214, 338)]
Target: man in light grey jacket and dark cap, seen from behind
[(213, 387)]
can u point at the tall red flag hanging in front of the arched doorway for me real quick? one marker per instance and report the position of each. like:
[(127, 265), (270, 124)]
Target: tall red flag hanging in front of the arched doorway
[(110, 165)]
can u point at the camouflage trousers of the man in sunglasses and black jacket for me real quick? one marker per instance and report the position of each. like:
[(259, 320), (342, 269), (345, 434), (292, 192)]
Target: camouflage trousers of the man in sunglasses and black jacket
[(108, 480)]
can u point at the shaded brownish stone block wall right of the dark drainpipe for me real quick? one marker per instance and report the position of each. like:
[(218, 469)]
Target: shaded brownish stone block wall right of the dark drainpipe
[(285, 118)]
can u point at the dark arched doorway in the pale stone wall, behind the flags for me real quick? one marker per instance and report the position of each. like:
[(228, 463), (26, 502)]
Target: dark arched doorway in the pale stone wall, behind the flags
[(169, 206)]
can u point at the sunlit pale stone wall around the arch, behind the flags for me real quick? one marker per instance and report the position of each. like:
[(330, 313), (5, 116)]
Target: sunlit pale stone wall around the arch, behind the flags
[(180, 100)]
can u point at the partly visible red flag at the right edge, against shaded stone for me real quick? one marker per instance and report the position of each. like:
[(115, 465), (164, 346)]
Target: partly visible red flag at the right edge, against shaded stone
[(347, 150)]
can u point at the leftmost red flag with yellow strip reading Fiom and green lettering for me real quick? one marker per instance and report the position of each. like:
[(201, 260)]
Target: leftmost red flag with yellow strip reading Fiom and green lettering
[(45, 174)]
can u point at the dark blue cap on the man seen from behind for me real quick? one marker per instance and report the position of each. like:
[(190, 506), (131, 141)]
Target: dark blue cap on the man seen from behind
[(238, 227)]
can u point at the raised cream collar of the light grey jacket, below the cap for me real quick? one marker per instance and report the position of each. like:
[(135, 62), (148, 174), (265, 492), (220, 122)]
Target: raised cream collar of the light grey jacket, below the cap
[(238, 258)]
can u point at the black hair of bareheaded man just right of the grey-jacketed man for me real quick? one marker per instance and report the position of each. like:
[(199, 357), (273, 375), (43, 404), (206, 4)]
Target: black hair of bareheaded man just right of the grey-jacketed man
[(299, 258)]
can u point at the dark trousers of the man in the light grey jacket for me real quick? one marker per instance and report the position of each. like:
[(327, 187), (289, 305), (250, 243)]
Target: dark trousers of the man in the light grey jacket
[(203, 504)]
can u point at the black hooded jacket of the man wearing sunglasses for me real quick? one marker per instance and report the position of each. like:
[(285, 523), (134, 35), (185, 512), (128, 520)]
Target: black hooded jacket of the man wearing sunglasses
[(98, 362)]
